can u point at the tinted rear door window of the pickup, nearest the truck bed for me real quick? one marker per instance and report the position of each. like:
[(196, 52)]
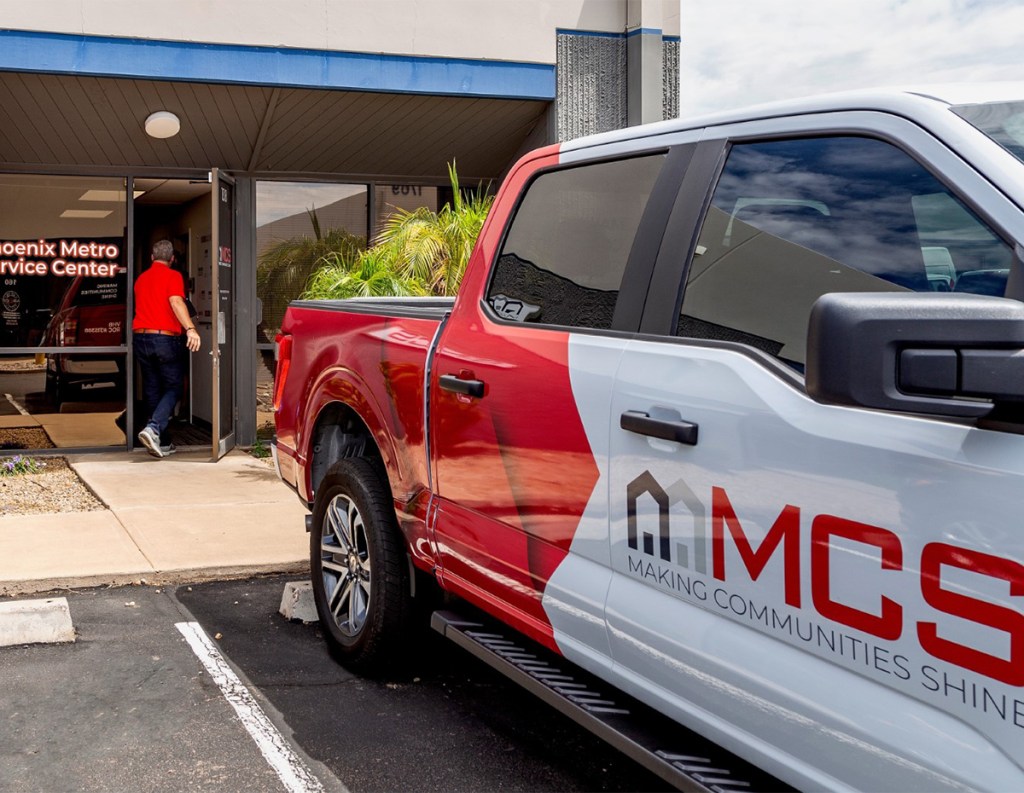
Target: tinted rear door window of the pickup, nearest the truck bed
[(564, 259)]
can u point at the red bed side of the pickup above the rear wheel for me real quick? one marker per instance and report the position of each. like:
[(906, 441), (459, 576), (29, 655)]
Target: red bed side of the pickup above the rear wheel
[(385, 345)]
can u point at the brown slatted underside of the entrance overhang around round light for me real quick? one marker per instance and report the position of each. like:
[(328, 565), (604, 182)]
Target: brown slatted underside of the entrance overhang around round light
[(75, 121)]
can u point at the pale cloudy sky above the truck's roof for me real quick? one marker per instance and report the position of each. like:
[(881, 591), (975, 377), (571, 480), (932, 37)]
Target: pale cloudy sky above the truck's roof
[(740, 53)]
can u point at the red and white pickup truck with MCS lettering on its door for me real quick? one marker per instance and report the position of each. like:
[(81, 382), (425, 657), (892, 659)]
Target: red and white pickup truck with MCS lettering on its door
[(730, 415)]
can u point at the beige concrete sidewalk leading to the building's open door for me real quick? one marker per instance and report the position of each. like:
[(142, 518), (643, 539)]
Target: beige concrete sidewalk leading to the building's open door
[(182, 518)]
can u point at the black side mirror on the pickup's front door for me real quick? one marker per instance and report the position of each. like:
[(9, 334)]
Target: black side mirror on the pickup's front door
[(917, 353)]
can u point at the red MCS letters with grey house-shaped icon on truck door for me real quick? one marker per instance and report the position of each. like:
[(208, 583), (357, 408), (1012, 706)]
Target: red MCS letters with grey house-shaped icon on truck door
[(928, 575)]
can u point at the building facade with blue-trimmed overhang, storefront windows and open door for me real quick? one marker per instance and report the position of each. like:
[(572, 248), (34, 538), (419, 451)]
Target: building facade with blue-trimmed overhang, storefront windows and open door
[(251, 134)]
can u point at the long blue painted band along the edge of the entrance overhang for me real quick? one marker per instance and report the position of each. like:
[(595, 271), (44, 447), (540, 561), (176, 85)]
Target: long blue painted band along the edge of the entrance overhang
[(193, 62)]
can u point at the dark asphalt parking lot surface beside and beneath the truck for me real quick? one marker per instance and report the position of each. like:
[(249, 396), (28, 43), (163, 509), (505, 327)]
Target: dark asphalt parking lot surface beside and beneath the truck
[(130, 706)]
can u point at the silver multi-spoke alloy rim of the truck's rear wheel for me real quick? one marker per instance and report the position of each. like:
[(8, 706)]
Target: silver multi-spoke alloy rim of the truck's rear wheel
[(346, 565)]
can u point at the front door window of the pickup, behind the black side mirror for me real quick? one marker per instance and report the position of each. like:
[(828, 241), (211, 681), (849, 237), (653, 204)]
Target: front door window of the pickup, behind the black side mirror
[(794, 220)]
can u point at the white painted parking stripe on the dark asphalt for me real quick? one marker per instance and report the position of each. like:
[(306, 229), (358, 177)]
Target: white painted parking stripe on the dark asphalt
[(293, 773)]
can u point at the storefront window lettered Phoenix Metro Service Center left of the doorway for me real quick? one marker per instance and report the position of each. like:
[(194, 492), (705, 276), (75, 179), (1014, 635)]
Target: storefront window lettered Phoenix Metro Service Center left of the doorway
[(63, 284)]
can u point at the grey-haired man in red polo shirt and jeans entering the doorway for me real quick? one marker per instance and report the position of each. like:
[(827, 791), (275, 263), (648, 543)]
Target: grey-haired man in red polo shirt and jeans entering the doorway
[(161, 318)]
